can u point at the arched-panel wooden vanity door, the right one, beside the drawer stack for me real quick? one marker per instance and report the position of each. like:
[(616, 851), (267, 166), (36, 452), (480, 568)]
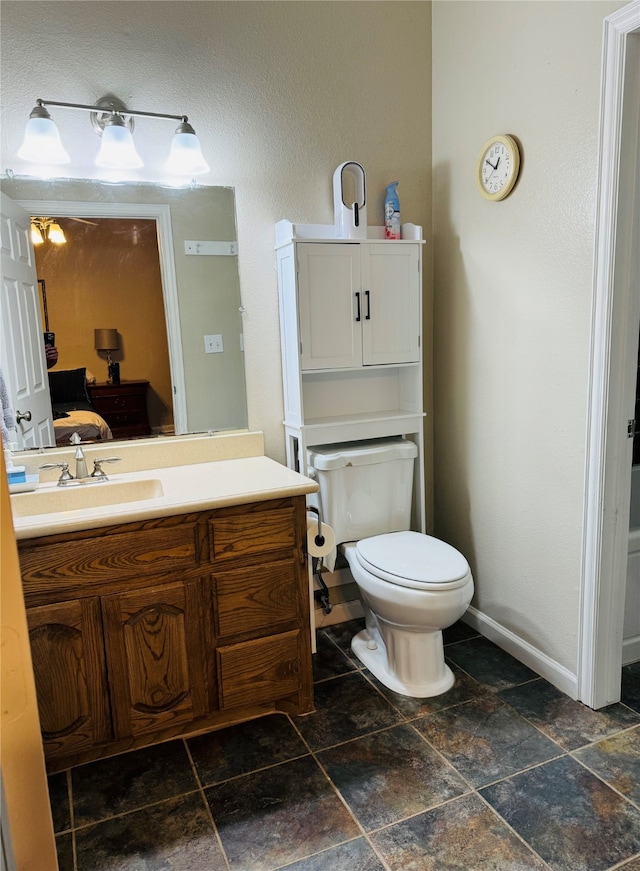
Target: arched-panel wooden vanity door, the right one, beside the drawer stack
[(157, 647)]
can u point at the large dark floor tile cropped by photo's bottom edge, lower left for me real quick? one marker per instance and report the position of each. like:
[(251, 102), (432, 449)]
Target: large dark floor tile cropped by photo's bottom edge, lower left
[(175, 835)]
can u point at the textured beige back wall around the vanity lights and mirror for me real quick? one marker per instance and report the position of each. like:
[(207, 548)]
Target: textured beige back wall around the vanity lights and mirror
[(279, 93)]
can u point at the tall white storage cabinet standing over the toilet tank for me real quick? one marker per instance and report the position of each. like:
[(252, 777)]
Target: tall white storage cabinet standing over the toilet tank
[(351, 339)]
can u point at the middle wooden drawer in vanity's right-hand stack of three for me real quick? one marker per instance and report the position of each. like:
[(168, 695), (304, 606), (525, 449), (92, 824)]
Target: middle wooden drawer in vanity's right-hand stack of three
[(257, 597)]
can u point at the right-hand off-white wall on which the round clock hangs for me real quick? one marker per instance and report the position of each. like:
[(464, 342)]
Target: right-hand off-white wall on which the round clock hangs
[(512, 304)]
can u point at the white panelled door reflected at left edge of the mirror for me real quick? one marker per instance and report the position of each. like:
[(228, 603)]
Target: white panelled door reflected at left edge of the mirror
[(22, 348)]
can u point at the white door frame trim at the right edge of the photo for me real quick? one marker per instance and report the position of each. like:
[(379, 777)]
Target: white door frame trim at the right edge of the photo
[(608, 480)]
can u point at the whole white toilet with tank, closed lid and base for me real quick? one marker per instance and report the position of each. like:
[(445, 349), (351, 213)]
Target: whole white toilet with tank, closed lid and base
[(412, 585)]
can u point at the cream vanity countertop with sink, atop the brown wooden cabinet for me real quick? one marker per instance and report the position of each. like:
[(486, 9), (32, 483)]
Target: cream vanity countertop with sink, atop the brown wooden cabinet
[(185, 488)]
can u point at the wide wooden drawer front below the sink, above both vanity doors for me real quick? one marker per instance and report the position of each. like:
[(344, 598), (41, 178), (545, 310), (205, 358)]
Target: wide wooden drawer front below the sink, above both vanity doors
[(77, 564)]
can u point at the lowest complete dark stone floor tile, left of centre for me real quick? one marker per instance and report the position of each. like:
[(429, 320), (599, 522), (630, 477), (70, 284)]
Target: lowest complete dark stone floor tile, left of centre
[(278, 815)]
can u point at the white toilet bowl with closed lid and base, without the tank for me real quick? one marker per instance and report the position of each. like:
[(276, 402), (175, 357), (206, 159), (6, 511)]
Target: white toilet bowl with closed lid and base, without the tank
[(413, 586)]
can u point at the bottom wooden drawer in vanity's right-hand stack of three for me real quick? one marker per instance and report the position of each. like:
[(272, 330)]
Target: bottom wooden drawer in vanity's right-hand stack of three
[(259, 671)]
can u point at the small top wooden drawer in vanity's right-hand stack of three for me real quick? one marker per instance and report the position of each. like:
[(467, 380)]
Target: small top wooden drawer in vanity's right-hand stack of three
[(237, 535)]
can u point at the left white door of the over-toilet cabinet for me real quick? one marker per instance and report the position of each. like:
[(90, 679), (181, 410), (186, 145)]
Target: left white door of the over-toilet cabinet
[(330, 302)]
